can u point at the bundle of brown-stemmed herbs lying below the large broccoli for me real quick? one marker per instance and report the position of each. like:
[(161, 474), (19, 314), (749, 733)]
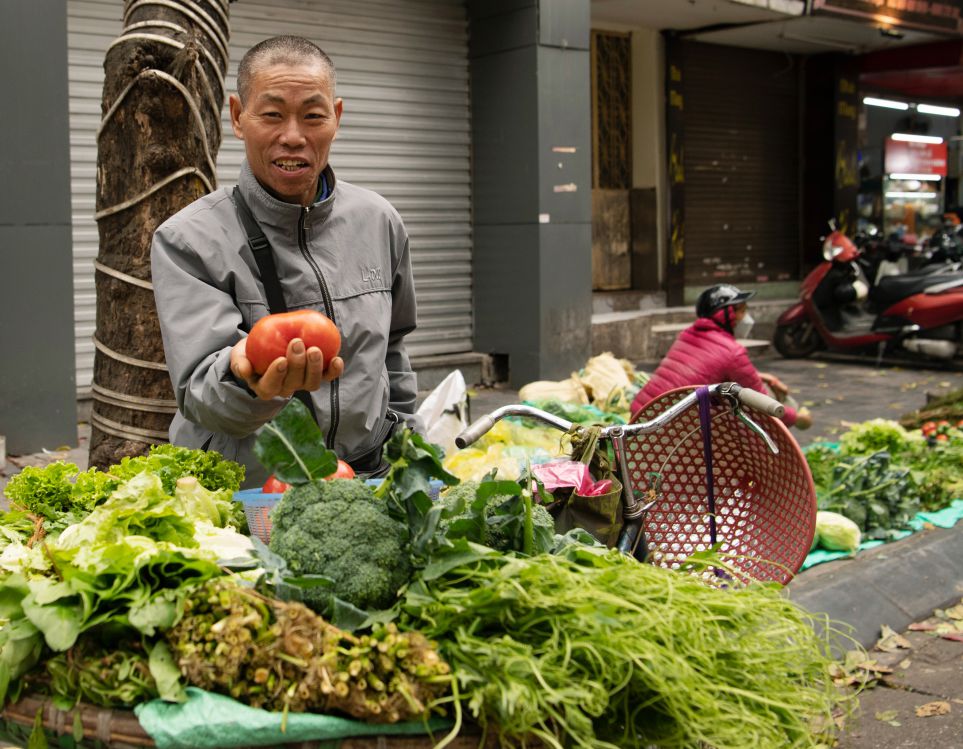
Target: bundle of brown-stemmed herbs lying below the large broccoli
[(283, 656)]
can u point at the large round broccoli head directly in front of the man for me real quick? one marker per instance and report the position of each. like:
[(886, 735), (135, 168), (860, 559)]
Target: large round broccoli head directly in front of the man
[(338, 529)]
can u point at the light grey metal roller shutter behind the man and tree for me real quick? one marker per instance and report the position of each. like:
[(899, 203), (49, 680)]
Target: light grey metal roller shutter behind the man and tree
[(406, 133)]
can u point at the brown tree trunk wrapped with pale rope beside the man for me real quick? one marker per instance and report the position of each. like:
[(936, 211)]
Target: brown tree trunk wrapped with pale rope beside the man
[(157, 144)]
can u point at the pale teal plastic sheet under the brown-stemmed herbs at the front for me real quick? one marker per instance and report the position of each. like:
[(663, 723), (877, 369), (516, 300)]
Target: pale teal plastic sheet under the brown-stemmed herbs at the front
[(210, 720)]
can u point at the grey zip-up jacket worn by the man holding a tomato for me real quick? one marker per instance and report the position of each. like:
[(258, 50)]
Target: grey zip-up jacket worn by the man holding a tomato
[(346, 256)]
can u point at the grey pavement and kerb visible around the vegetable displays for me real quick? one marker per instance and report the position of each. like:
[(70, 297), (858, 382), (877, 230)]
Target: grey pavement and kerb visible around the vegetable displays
[(893, 585)]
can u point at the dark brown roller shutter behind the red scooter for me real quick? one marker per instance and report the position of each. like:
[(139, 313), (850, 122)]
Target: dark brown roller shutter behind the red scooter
[(741, 126)]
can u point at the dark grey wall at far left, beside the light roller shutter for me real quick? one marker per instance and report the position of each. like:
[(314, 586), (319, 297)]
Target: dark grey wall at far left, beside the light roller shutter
[(37, 388)]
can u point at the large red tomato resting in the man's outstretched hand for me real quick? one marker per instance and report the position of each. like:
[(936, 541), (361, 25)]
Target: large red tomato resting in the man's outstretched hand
[(270, 336)]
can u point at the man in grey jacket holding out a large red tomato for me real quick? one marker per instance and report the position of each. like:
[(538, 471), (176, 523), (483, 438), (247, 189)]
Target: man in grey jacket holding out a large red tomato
[(338, 249)]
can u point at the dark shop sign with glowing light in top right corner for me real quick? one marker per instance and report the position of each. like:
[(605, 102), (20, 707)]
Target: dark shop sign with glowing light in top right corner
[(927, 15)]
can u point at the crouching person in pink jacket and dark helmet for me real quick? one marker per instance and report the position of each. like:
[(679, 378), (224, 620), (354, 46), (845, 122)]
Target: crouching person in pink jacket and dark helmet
[(707, 352)]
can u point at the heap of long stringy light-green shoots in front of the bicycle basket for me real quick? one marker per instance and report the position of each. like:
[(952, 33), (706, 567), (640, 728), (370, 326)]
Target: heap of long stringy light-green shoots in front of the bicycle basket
[(594, 649)]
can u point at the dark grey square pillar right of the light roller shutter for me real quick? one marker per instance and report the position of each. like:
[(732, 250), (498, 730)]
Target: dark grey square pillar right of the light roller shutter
[(532, 184)]
